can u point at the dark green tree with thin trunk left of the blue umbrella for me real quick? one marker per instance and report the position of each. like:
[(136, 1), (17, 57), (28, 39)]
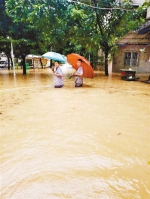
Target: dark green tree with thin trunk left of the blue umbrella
[(26, 37)]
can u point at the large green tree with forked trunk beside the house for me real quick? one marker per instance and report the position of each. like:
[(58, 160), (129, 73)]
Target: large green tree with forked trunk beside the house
[(109, 22)]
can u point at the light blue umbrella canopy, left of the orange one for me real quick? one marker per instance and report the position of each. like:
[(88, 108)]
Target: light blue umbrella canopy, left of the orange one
[(54, 56)]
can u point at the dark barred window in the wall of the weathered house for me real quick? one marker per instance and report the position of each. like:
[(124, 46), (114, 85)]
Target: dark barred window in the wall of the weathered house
[(131, 59)]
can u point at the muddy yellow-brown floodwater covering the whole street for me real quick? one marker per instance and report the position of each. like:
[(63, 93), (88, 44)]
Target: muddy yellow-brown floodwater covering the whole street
[(81, 143)]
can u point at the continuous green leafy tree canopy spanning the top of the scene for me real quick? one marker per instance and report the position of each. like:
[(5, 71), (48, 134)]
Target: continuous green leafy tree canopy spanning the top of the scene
[(37, 25)]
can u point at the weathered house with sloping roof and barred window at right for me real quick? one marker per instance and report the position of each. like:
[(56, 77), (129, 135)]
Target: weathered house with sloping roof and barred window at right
[(134, 50)]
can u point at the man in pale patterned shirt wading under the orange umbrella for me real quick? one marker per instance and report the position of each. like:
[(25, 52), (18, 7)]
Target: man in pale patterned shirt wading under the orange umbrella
[(78, 74)]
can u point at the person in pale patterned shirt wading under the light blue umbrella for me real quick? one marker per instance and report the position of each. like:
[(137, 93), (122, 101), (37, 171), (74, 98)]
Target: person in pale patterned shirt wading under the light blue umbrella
[(58, 76)]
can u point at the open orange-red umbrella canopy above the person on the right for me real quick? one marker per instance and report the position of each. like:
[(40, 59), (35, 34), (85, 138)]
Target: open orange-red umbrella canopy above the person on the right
[(87, 68)]
